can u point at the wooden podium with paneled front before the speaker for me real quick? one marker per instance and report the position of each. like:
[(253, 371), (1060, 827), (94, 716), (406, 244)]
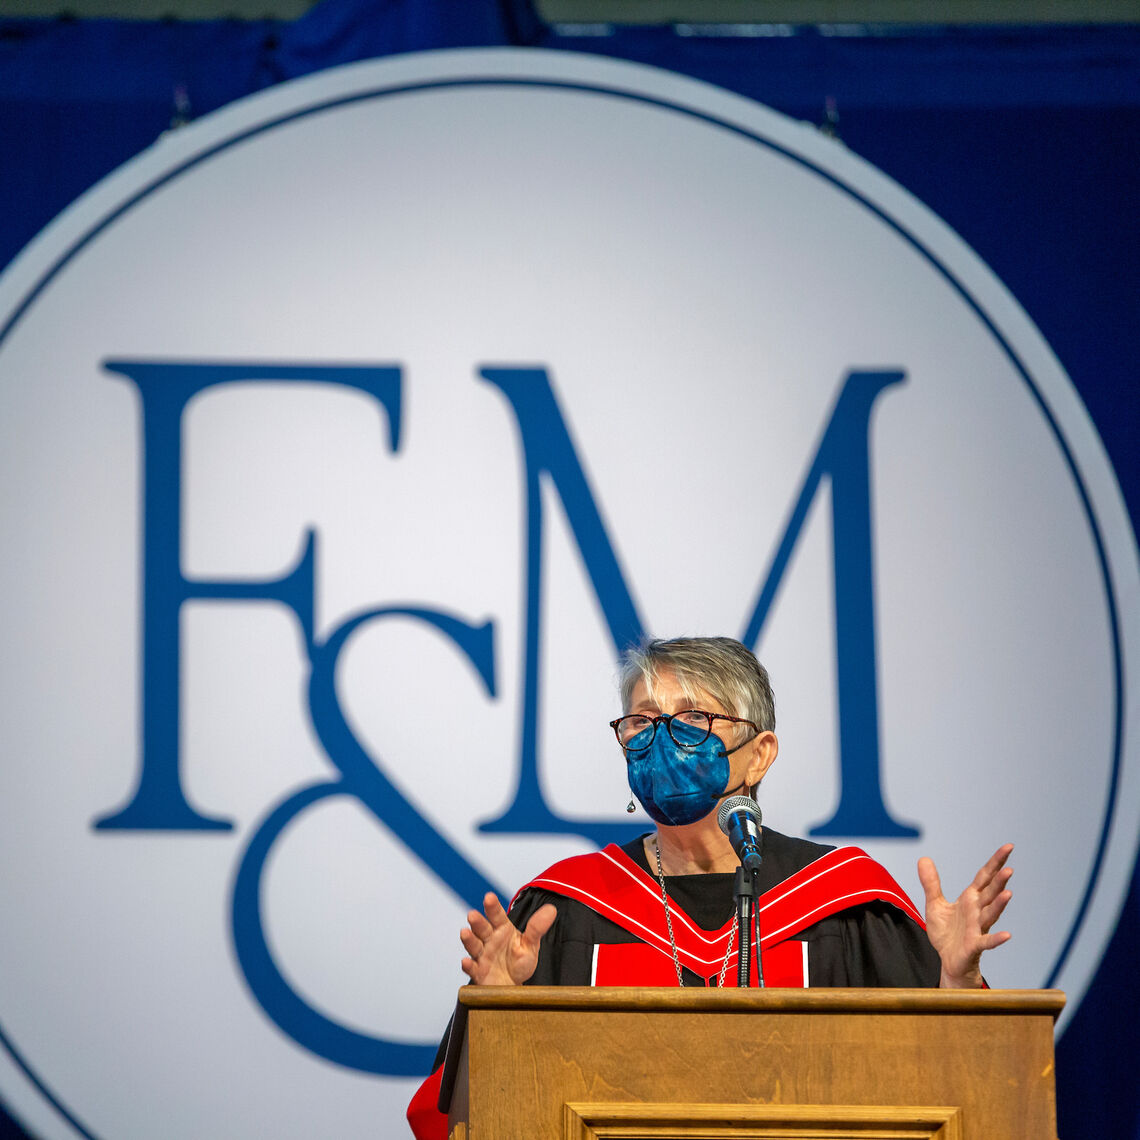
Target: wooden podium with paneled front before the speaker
[(576, 1064)]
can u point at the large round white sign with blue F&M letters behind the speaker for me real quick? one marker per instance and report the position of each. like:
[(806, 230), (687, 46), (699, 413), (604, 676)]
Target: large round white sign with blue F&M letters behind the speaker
[(349, 435)]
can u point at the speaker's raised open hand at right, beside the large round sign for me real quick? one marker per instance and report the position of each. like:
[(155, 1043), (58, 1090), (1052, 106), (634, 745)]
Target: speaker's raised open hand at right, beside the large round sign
[(960, 931)]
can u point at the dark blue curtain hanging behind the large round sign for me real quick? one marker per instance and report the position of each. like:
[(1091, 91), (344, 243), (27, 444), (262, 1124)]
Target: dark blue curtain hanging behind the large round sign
[(1023, 140)]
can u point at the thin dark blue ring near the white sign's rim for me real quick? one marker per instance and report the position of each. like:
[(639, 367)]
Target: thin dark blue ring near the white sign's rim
[(598, 89)]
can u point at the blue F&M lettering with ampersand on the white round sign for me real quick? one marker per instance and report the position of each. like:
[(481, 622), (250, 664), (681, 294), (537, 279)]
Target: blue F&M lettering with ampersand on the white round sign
[(159, 803)]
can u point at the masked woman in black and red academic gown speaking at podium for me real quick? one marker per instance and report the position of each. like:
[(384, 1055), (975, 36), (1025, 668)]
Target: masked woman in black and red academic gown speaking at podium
[(698, 727)]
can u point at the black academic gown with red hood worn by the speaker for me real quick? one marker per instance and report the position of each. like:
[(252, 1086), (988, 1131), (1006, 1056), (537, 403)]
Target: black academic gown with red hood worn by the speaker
[(828, 918)]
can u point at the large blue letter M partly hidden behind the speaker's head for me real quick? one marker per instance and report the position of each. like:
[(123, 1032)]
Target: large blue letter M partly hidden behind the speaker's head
[(843, 459)]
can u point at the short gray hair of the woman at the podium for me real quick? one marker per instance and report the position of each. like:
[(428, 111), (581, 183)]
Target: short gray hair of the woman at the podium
[(719, 666)]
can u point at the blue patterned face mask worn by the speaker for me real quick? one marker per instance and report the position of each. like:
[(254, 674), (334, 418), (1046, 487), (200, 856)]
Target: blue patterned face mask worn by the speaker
[(675, 785)]
